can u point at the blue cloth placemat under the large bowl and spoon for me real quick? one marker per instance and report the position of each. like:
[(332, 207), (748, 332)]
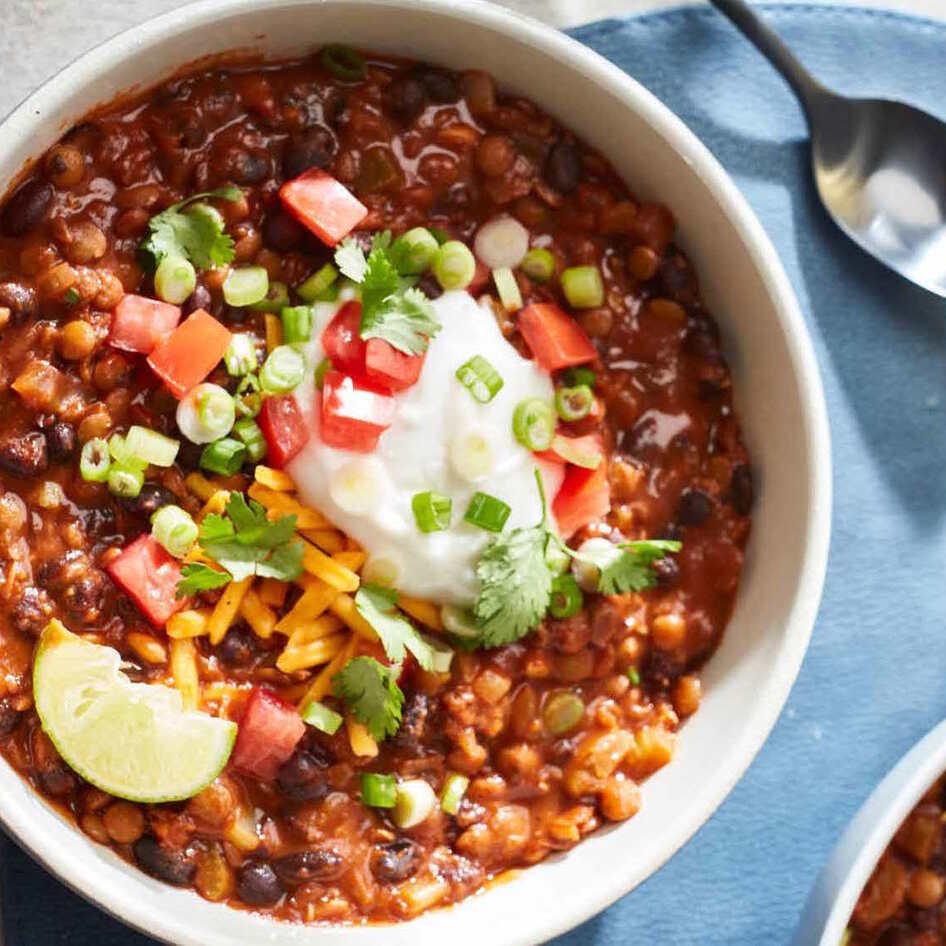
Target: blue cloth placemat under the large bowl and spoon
[(873, 682)]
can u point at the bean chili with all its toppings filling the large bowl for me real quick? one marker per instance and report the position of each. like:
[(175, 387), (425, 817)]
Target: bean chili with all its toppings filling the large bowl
[(374, 488)]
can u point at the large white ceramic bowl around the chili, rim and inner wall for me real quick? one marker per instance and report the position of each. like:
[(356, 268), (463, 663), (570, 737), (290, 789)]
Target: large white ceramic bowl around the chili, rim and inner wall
[(779, 395)]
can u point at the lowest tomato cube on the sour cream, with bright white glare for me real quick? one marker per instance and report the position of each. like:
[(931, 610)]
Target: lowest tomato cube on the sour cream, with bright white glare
[(354, 413)]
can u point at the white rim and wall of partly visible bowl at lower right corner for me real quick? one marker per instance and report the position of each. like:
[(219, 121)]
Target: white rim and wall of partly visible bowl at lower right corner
[(853, 860)]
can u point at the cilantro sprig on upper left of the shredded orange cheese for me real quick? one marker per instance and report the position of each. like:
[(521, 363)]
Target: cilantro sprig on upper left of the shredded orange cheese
[(244, 543)]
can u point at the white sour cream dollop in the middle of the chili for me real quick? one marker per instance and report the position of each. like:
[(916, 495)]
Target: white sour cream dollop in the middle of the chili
[(443, 440)]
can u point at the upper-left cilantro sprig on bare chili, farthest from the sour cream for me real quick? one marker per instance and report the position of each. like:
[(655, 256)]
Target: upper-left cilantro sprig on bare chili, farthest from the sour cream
[(194, 232)]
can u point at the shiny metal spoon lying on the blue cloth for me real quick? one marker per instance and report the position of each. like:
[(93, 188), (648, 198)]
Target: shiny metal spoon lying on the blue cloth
[(880, 166)]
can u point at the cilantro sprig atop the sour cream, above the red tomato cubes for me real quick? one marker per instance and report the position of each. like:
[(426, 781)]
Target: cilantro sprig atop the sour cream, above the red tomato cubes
[(391, 308)]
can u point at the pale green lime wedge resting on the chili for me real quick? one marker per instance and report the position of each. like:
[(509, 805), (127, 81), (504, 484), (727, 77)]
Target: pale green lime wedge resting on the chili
[(132, 740)]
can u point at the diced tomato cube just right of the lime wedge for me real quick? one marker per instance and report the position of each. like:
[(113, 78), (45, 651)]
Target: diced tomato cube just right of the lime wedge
[(268, 734)]
